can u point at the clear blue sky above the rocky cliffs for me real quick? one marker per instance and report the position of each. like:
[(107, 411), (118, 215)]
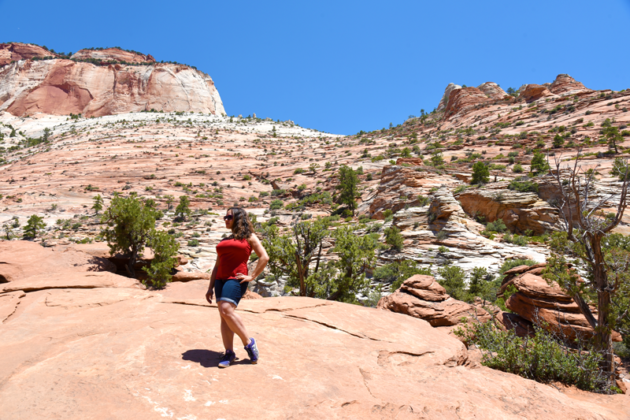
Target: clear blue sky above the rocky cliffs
[(344, 66)]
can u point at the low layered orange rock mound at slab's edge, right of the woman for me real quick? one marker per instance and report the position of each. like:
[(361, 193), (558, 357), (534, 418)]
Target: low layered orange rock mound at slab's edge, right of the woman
[(422, 297)]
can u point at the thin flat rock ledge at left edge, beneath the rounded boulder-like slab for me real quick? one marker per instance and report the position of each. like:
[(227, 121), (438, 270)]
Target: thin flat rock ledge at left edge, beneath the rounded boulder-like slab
[(69, 279)]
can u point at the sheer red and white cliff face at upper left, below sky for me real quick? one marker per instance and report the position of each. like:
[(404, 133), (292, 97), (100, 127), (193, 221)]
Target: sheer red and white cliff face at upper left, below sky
[(61, 87)]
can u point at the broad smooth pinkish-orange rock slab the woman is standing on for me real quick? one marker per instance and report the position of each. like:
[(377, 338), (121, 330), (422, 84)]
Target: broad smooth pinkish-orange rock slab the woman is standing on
[(142, 359)]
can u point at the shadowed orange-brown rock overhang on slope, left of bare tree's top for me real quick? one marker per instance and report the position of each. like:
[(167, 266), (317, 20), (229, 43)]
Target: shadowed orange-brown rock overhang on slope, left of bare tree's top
[(519, 211)]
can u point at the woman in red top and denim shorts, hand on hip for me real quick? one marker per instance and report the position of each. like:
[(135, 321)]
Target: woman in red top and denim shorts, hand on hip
[(230, 278)]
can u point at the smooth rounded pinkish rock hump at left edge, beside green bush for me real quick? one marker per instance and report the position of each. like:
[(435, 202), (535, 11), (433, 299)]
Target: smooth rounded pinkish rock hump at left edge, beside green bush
[(21, 259)]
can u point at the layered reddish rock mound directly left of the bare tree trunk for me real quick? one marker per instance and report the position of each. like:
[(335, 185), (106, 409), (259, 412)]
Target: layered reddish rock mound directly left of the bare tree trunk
[(545, 304)]
